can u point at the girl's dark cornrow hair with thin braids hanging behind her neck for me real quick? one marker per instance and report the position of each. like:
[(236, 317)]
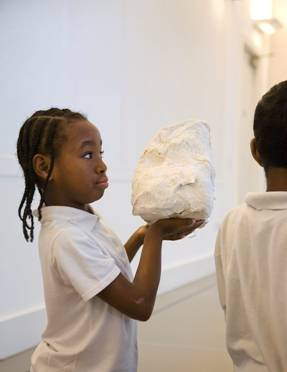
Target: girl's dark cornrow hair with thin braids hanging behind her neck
[(41, 133)]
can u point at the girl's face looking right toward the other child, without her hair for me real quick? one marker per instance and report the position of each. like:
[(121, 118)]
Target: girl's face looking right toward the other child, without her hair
[(79, 174)]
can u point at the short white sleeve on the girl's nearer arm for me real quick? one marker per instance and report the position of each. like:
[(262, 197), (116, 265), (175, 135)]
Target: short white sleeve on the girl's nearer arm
[(82, 263)]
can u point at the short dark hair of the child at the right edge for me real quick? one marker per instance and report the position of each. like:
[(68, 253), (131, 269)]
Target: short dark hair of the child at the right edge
[(270, 126)]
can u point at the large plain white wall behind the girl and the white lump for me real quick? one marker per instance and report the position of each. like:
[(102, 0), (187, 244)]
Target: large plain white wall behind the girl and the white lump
[(132, 66)]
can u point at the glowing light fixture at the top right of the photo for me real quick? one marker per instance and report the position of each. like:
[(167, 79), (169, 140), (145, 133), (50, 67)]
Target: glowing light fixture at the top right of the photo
[(261, 12)]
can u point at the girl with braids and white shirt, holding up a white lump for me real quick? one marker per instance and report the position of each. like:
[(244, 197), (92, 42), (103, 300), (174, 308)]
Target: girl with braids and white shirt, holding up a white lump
[(92, 299)]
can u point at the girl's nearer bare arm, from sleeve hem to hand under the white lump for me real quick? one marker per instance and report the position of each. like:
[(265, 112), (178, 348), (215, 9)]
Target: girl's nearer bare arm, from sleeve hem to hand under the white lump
[(136, 299)]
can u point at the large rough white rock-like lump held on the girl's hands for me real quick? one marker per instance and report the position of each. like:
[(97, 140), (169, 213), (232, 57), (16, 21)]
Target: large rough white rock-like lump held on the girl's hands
[(175, 175)]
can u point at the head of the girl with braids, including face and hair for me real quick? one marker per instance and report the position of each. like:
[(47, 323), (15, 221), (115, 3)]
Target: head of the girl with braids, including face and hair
[(60, 154)]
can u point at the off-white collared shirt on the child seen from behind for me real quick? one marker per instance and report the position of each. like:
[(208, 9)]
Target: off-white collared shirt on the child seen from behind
[(251, 263)]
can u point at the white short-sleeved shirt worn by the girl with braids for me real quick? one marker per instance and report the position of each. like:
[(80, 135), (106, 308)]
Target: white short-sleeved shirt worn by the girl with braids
[(79, 258)]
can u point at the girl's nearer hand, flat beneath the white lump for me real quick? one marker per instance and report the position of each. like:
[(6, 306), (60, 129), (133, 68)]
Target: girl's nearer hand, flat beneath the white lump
[(175, 228)]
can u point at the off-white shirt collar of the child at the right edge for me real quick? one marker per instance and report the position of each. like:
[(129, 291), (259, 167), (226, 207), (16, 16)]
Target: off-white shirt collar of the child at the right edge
[(267, 200)]
